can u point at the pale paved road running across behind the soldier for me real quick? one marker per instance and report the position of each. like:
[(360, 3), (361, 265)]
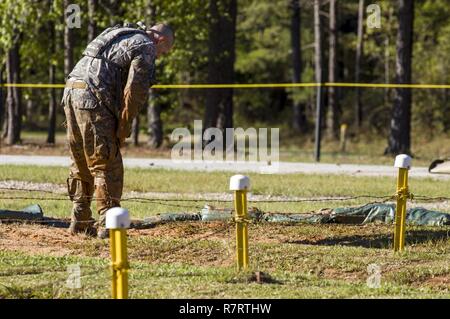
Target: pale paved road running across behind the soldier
[(237, 167)]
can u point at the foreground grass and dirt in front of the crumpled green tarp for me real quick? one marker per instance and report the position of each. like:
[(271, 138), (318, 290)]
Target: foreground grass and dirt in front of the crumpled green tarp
[(326, 261)]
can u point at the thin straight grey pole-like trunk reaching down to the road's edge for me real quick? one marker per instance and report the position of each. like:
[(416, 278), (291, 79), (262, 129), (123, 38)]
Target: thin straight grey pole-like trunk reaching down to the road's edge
[(318, 59)]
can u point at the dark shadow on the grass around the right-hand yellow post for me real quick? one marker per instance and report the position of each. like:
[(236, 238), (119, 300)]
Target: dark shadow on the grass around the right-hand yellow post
[(379, 241)]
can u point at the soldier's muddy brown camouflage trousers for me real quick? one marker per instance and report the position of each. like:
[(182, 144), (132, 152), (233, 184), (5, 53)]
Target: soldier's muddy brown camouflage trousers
[(96, 171)]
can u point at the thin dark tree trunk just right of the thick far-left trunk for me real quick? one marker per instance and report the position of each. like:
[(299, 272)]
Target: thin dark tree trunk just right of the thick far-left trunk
[(52, 92)]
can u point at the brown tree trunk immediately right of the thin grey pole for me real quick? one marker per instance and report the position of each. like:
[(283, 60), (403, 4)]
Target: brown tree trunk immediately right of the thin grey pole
[(333, 103)]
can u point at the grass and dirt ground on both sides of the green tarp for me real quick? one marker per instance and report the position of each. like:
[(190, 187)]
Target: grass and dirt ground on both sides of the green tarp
[(196, 259)]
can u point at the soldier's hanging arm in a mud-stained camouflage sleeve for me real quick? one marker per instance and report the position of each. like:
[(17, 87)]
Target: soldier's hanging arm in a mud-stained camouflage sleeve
[(136, 92)]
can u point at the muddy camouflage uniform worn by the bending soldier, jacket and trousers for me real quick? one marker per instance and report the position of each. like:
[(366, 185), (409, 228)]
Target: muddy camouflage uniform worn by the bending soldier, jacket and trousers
[(103, 94)]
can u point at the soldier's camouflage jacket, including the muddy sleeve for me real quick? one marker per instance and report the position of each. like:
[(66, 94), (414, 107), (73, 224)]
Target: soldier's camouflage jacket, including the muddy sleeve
[(120, 77)]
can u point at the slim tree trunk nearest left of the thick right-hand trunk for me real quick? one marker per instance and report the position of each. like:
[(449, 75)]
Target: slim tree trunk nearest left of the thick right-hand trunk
[(359, 54)]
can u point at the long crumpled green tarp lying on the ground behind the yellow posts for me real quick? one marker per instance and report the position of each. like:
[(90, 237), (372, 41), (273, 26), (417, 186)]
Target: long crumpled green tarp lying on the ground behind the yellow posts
[(370, 213)]
